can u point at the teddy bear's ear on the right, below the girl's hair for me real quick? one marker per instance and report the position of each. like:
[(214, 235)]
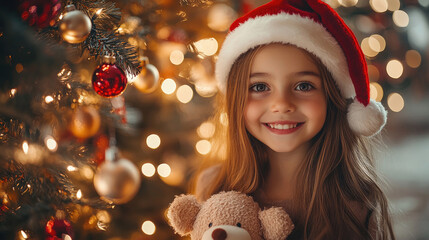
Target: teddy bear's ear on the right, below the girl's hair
[(276, 223)]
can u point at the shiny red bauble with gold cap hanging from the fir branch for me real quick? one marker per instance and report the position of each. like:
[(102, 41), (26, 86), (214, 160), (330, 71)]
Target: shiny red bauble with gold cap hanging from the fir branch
[(109, 80)]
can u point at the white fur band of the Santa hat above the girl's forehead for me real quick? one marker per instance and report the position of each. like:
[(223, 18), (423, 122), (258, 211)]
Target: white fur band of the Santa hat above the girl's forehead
[(288, 29)]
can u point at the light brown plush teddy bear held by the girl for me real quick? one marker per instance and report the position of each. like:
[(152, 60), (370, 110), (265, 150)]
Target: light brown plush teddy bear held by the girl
[(227, 215)]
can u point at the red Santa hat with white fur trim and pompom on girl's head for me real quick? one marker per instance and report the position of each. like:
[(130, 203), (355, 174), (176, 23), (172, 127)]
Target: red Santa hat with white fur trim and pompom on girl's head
[(315, 27)]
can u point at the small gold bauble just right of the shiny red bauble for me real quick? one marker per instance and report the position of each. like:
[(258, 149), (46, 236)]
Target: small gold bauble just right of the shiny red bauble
[(148, 79)]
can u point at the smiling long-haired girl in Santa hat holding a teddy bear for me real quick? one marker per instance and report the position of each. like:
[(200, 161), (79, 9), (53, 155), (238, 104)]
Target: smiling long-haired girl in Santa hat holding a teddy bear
[(299, 122)]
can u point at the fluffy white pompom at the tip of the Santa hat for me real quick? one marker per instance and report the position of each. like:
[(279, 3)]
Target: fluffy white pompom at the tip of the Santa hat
[(368, 120)]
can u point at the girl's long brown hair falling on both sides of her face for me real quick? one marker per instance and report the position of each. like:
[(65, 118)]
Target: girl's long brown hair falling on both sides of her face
[(338, 168)]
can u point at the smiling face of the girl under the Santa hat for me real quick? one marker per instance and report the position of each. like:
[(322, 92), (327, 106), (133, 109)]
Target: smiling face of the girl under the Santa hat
[(286, 103)]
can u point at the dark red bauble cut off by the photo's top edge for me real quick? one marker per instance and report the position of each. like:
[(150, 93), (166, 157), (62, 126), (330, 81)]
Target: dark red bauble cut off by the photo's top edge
[(39, 13)]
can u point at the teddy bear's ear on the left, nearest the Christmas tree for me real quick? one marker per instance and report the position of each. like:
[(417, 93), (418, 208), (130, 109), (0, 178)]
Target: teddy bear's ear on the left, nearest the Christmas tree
[(182, 213)]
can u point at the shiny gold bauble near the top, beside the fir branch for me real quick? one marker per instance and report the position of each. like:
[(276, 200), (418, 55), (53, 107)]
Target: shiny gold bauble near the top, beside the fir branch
[(75, 25)]
